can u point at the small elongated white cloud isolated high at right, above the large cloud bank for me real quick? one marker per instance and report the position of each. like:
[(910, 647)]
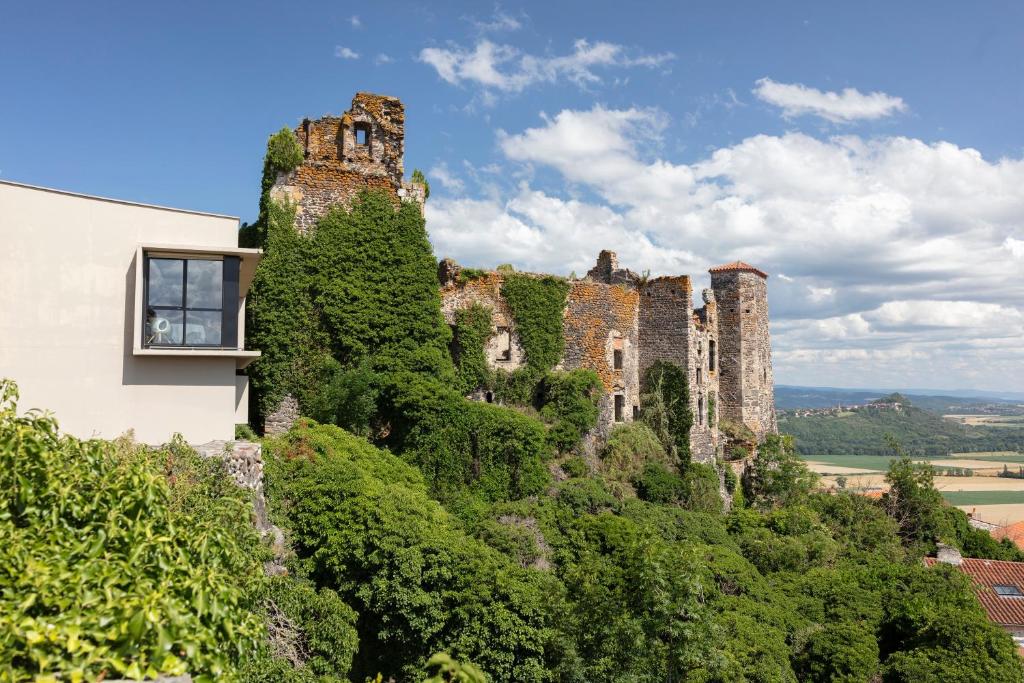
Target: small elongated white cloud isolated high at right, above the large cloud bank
[(850, 105)]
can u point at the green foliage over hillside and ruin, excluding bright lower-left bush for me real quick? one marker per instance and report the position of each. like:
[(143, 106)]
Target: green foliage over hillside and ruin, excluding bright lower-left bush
[(438, 526)]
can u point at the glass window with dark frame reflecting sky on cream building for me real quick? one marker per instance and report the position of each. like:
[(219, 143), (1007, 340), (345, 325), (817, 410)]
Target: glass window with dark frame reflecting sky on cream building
[(185, 303)]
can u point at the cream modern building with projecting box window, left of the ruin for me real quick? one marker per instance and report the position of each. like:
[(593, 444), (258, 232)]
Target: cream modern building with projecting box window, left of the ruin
[(118, 317)]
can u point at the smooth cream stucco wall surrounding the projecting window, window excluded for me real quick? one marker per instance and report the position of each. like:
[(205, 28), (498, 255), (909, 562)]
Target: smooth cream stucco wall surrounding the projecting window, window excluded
[(67, 319)]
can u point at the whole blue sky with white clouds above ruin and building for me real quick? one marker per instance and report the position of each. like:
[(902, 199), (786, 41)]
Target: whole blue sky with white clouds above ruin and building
[(868, 155)]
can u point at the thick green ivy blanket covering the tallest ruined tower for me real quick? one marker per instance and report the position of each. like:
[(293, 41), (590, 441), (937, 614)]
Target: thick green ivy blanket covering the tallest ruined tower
[(363, 287)]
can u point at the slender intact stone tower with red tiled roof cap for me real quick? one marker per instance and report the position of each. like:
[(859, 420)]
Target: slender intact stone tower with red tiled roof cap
[(746, 380)]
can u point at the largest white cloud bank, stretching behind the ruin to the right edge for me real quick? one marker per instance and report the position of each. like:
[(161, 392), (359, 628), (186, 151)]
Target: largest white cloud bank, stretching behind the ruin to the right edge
[(903, 259)]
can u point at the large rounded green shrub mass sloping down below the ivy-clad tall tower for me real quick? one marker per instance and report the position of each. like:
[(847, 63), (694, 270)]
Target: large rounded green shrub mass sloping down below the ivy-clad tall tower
[(364, 525)]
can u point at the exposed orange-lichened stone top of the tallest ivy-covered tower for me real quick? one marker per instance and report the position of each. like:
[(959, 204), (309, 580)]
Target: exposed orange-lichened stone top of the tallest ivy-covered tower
[(362, 149)]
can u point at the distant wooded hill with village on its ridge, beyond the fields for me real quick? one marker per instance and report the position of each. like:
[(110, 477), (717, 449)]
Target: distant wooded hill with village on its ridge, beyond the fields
[(864, 431)]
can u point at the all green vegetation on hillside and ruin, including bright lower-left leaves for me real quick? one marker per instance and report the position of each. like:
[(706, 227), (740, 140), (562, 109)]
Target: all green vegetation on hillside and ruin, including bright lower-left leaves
[(426, 532)]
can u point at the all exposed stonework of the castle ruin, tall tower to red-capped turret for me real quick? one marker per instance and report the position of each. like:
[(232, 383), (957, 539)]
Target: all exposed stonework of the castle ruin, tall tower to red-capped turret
[(615, 323)]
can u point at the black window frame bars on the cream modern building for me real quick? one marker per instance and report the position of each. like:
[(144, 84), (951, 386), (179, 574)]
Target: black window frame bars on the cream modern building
[(231, 271)]
